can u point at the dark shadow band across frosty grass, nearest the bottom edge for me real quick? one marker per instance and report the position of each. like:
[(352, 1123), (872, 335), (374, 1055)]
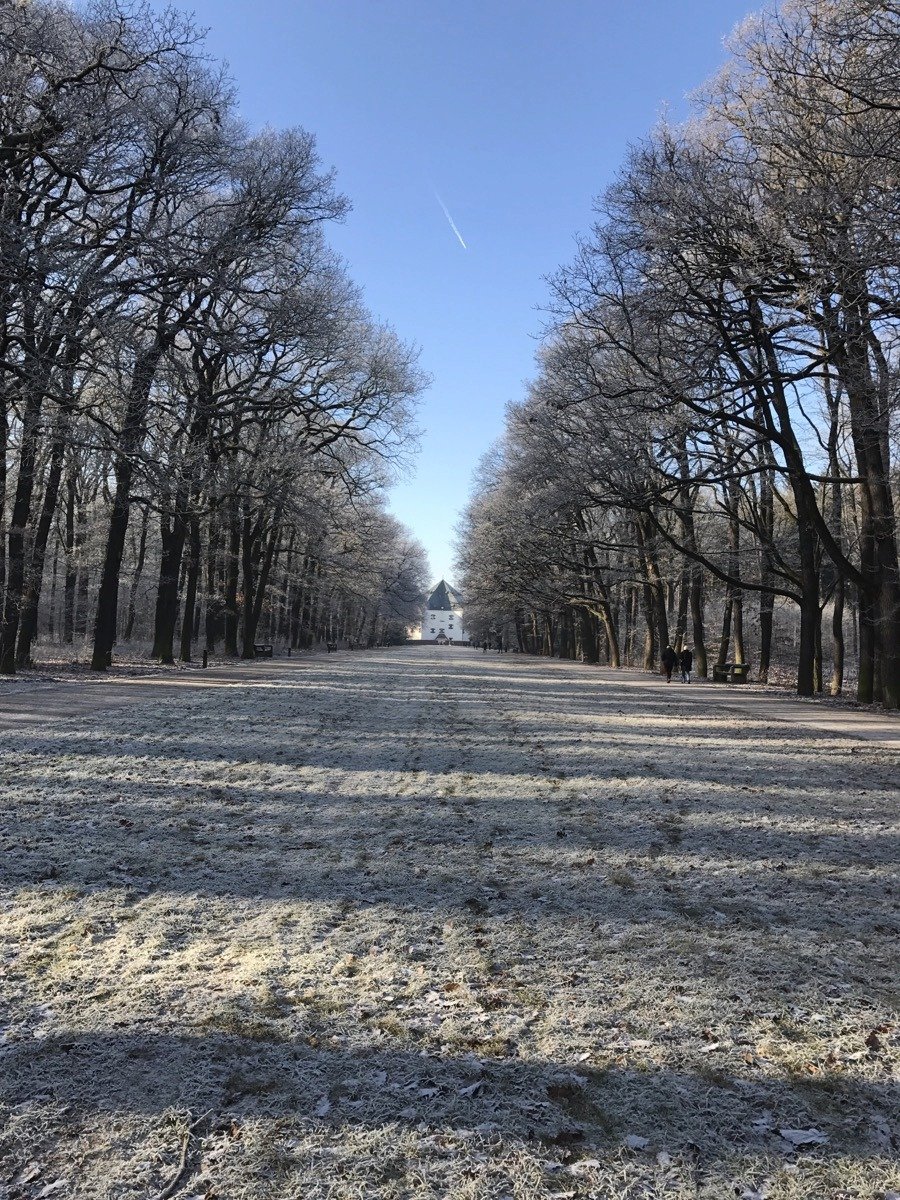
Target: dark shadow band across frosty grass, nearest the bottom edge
[(537, 1101)]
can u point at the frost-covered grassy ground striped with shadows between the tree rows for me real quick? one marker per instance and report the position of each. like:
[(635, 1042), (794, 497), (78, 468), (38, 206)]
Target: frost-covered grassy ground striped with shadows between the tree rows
[(430, 923)]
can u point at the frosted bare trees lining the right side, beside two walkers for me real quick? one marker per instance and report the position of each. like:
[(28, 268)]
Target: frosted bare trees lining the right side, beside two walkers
[(717, 403)]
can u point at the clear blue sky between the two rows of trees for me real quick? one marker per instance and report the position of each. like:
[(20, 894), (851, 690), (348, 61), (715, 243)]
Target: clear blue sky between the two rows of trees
[(517, 113)]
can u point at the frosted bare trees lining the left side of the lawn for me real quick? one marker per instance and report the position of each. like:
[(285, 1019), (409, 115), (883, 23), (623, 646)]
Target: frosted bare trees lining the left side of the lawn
[(199, 417)]
